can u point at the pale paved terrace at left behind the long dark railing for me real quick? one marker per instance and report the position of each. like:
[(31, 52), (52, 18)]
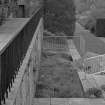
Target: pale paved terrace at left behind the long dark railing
[(9, 30)]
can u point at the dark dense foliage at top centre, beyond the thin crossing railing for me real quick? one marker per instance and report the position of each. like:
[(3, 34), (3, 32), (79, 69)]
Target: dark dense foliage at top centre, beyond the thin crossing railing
[(59, 16)]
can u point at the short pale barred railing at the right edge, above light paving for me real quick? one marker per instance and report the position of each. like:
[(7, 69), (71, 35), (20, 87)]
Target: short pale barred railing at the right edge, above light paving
[(94, 64)]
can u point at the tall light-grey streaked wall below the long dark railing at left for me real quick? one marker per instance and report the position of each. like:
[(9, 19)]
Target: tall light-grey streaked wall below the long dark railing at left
[(23, 89)]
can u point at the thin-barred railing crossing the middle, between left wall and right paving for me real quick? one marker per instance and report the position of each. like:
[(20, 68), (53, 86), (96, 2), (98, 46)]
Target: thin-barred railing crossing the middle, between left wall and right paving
[(59, 43)]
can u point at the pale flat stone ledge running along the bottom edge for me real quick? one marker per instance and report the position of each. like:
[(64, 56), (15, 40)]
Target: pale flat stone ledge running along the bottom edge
[(67, 101)]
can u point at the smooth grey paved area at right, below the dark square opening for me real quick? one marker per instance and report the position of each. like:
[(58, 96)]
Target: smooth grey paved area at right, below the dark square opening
[(92, 43)]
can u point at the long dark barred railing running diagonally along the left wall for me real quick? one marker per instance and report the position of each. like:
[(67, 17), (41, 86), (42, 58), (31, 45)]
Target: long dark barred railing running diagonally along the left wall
[(13, 54)]
